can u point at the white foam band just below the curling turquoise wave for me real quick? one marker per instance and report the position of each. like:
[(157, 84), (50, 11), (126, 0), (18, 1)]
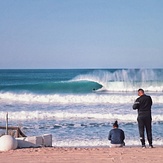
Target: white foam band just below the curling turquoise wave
[(93, 98)]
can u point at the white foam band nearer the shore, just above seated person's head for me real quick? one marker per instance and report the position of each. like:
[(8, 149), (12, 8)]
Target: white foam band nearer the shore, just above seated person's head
[(65, 115)]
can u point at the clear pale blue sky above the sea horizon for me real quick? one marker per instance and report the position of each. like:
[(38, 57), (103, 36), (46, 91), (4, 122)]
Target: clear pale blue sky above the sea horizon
[(81, 34)]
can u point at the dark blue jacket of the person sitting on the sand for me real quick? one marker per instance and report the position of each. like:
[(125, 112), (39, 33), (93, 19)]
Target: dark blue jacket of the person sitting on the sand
[(116, 136)]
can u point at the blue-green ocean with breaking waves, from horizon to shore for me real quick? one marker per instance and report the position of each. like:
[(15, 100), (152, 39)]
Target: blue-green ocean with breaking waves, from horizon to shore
[(79, 106)]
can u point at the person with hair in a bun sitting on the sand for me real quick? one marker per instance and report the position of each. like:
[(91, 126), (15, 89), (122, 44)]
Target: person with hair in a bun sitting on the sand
[(116, 136)]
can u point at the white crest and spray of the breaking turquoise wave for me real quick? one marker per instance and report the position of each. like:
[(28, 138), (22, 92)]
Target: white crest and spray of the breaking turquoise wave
[(126, 80)]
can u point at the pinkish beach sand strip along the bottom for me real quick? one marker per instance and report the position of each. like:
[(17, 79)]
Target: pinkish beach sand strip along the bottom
[(83, 155)]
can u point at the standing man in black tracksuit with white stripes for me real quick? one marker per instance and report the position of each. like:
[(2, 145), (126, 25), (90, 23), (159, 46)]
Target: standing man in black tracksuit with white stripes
[(143, 104)]
